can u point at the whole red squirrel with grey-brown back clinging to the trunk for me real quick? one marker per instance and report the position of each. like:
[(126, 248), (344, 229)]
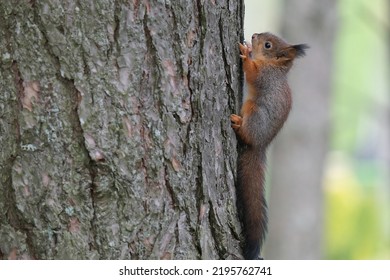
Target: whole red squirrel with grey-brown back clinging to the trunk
[(263, 113)]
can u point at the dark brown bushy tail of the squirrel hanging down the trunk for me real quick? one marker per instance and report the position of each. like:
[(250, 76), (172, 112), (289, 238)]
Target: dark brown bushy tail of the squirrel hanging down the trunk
[(251, 199)]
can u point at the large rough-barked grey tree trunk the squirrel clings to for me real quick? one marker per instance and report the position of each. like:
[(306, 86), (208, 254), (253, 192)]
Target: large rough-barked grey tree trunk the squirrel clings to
[(115, 131)]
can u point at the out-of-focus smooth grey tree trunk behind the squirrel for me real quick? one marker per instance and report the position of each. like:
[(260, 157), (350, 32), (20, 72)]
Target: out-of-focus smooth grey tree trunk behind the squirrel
[(298, 156)]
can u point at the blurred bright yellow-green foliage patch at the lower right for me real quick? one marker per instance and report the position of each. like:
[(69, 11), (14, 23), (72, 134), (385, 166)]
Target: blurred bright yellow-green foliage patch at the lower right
[(354, 227)]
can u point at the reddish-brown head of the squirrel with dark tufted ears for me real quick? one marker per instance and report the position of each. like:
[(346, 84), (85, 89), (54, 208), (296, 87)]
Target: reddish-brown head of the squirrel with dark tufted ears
[(266, 46)]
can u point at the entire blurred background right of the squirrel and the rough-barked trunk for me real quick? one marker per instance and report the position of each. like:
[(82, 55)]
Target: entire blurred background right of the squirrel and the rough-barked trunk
[(329, 185)]
